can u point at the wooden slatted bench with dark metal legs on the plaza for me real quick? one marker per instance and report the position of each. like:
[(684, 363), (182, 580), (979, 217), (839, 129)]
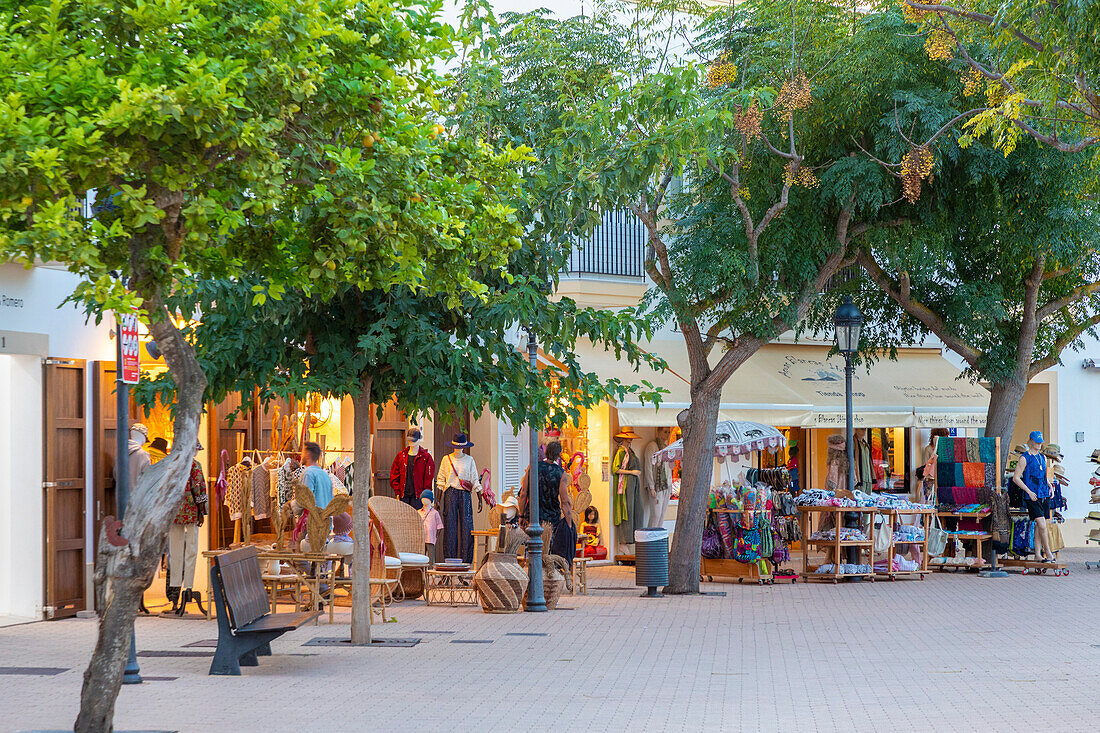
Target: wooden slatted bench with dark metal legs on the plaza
[(246, 626)]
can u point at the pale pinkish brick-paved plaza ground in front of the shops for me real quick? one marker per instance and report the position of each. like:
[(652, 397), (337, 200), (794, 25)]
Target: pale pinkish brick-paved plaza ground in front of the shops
[(951, 653)]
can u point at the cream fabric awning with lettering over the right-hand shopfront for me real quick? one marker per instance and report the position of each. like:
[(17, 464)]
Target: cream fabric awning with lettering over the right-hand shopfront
[(786, 385)]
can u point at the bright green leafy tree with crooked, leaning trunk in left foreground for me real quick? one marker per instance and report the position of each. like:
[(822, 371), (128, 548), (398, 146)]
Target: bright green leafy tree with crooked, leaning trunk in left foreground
[(293, 140)]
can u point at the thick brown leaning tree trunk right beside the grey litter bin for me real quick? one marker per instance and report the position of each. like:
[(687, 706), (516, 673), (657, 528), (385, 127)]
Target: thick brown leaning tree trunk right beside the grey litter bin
[(699, 424)]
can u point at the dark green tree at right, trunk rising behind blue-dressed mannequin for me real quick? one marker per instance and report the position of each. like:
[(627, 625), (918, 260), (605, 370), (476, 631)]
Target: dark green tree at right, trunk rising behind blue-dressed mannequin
[(1006, 271)]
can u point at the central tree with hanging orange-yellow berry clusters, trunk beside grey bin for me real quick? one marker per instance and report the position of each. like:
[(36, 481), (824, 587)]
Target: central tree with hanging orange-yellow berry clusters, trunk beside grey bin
[(749, 185)]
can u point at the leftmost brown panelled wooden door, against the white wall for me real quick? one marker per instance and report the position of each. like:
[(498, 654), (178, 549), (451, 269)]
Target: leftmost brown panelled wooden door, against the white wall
[(64, 474)]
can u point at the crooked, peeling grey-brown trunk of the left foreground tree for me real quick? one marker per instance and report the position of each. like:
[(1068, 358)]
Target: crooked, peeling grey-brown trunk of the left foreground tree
[(123, 574)]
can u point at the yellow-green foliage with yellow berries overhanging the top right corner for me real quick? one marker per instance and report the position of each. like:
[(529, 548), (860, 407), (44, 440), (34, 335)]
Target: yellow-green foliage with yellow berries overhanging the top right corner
[(1037, 64)]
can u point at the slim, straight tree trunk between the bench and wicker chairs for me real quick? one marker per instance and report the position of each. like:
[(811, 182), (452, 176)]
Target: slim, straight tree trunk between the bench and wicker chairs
[(361, 519)]
